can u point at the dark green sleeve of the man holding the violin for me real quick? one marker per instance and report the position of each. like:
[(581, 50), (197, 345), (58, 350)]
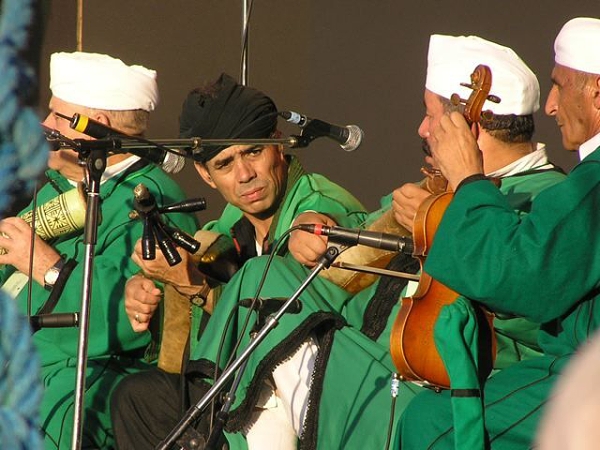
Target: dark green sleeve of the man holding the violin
[(522, 264)]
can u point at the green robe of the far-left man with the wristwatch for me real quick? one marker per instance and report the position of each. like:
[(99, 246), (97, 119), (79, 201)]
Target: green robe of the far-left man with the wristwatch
[(114, 349)]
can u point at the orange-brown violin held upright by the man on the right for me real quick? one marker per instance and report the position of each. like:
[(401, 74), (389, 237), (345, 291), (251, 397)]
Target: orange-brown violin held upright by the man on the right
[(412, 343)]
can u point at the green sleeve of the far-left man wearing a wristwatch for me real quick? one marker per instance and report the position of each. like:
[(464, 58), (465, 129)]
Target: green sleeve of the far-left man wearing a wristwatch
[(110, 331)]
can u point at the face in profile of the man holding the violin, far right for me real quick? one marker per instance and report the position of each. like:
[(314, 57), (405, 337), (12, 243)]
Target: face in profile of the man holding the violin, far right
[(570, 102)]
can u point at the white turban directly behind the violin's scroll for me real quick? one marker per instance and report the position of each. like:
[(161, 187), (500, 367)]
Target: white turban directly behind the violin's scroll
[(452, 59)]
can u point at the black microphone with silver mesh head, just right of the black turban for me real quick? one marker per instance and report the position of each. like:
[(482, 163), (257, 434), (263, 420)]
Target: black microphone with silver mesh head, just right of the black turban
[(349, 137)]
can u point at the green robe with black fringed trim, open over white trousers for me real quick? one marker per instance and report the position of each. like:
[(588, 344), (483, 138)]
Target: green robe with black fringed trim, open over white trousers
[(352, 371)]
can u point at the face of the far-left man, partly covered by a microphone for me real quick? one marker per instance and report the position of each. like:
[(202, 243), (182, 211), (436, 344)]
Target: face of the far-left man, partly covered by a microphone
[(64, 161)]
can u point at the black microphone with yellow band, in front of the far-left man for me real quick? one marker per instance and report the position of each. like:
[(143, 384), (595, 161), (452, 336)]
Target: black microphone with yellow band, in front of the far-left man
[(169, 161)]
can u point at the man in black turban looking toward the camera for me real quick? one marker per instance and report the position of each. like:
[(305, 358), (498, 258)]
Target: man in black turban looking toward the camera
[(265, 190)]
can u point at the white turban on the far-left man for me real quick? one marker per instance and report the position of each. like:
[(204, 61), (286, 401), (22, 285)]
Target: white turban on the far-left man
[(99, 81)]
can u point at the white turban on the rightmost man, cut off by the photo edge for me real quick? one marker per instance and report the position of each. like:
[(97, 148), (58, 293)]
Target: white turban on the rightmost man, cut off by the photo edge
[(577, 46)]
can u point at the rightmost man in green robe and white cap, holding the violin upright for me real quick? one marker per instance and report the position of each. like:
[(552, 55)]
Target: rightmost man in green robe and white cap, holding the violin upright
[(520, 267)]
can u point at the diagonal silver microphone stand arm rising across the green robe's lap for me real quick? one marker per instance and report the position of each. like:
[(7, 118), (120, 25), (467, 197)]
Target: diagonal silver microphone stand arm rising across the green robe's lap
[(194, 412)]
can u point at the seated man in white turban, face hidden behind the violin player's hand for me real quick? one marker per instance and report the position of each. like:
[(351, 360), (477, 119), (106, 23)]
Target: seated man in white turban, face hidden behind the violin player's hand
[(344, 337)]
